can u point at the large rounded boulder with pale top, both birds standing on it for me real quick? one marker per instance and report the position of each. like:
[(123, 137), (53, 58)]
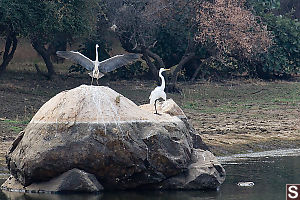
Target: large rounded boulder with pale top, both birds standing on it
[(99, 131)]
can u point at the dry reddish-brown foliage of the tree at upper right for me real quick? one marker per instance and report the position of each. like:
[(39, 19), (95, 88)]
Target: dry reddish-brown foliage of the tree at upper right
[(232, 29)]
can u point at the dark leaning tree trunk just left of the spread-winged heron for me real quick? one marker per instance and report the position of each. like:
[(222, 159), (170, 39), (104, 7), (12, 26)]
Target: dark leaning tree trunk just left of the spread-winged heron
[(46, 55)]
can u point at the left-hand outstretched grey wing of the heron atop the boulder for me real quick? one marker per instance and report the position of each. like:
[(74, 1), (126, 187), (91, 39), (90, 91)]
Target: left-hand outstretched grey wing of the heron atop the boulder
[(77, 58)]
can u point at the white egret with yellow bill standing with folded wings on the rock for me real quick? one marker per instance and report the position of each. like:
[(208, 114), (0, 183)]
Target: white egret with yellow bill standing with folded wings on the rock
[(159, 91)]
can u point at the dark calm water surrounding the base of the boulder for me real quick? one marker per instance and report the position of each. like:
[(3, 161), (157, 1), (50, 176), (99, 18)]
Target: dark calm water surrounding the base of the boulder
[(269, 174)]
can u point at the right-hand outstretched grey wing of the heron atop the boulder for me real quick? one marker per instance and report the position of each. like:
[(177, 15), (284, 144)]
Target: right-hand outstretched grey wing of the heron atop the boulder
[(117, 62)]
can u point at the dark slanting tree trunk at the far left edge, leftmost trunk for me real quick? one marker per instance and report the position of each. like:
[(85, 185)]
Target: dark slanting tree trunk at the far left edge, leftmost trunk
[(10, 48)]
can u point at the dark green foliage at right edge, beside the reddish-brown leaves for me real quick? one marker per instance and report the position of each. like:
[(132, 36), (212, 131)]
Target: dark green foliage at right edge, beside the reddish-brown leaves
[(283, 57)]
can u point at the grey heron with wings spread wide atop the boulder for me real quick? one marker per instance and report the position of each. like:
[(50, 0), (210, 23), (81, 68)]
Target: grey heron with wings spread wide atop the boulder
[(99, 69)]
